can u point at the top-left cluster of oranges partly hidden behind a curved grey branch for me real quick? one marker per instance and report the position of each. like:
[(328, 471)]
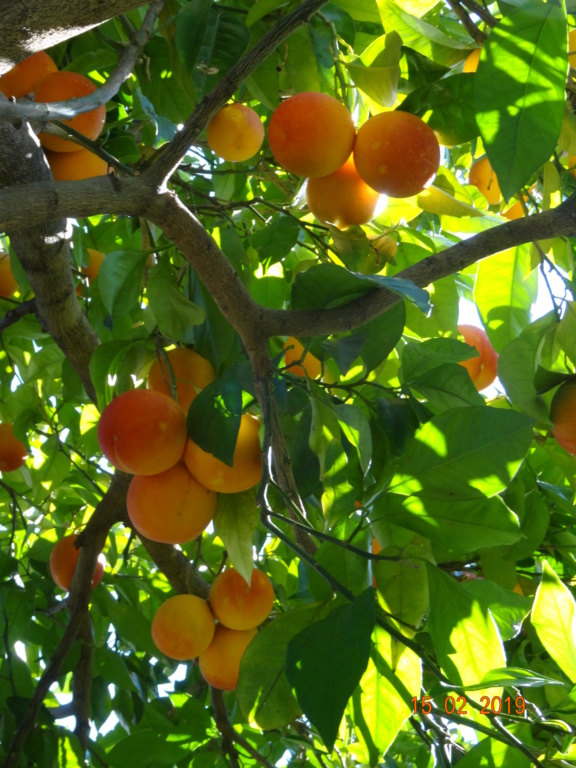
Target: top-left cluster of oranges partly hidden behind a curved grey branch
[(39, 75)]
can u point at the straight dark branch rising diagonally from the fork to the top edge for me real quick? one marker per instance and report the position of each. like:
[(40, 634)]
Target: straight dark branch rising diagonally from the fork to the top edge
[(171, 156)]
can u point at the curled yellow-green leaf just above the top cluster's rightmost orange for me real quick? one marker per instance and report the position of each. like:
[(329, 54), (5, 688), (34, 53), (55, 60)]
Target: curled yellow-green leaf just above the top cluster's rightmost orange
[(379, 71)]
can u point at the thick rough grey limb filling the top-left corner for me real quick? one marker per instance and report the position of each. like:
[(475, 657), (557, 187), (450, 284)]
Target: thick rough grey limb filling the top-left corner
[(27, 26)]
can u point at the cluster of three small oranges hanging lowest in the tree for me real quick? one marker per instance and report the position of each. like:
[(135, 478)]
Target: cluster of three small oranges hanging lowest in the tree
[(217, 631)]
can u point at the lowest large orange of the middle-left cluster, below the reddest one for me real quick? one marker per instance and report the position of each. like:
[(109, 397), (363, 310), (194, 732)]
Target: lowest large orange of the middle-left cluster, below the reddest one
[(171, 507)]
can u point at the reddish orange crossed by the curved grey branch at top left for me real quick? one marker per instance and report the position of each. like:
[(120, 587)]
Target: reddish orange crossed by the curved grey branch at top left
[(61, 86)]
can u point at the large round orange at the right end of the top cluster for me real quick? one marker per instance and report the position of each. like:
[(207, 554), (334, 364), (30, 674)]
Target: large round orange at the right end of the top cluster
[(396, 153)]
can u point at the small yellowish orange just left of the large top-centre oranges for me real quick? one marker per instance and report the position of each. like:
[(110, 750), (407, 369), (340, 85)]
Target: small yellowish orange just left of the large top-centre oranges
[(236, 133)]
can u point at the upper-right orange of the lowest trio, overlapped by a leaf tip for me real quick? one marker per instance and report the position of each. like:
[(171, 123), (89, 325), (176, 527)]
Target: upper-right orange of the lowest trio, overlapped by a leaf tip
[(237, 605)]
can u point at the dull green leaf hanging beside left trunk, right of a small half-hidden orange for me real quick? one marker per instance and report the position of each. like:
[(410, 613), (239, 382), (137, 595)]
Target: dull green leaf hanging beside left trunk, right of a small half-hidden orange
[(120, 279)]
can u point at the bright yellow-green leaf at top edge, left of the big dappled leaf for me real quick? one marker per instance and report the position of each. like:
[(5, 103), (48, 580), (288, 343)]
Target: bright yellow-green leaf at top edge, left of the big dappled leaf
[(420, 35)]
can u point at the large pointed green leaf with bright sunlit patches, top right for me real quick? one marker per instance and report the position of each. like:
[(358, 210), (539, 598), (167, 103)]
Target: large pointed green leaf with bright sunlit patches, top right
[(520, 91)]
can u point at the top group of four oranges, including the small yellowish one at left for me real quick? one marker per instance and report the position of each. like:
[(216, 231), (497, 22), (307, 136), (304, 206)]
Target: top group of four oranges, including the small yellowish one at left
[(312, 135)]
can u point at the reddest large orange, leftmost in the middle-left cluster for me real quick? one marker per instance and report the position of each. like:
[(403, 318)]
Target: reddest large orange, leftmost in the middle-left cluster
[(142, 432)]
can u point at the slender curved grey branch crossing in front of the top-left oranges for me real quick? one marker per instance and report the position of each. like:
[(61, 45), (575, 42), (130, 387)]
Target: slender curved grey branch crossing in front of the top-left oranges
[(65, 110)]
